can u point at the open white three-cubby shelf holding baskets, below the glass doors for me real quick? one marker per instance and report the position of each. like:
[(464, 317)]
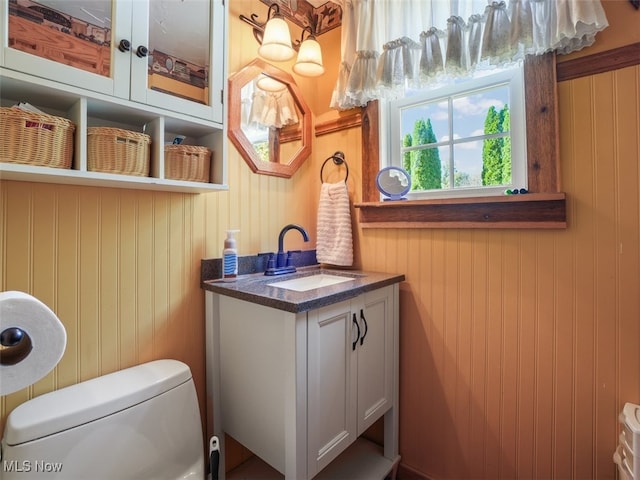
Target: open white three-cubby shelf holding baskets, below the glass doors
[(86, 108)]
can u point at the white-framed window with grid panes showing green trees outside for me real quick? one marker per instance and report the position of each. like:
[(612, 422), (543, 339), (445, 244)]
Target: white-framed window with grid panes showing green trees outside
[(462, 140)]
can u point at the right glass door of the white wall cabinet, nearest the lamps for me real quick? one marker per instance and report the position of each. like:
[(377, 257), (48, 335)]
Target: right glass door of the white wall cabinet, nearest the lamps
[(173, 52)]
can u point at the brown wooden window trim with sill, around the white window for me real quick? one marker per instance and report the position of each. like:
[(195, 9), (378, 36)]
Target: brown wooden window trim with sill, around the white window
[(543, 207)]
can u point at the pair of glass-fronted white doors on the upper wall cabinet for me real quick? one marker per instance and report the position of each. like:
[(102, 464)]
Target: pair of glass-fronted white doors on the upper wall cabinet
[(160, 53)]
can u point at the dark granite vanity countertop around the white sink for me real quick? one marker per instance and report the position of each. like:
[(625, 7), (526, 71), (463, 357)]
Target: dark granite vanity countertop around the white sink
[(254, 288)]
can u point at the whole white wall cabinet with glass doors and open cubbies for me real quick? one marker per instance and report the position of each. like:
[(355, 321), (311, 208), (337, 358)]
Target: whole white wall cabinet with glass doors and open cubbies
[(46, 60)]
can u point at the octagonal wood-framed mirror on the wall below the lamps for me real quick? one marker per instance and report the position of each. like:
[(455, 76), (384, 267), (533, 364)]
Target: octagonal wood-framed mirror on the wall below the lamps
[(269, 121)]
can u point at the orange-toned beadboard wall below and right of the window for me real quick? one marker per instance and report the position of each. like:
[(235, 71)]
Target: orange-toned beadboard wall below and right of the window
[(518, 349)]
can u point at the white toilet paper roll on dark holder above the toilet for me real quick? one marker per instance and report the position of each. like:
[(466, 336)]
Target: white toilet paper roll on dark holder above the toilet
[(32, 340)]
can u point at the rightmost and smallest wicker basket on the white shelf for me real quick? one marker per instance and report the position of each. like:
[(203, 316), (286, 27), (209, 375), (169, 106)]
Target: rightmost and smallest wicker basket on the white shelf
[(187, 162)]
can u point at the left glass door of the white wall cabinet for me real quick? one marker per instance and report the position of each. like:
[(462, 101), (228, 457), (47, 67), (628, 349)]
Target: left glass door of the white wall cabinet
[(68, 41)]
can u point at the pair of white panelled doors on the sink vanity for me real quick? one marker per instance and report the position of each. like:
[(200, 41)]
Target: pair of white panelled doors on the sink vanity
[(350, 364)]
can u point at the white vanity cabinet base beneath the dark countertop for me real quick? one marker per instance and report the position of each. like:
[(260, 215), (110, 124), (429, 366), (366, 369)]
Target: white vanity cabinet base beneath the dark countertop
[(299, 389)]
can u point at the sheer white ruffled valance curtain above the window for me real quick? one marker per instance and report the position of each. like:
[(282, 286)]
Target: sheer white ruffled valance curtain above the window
[(389, 46)]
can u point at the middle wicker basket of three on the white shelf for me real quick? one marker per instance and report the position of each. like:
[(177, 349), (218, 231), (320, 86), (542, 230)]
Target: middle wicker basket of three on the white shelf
[(113, 150)]
